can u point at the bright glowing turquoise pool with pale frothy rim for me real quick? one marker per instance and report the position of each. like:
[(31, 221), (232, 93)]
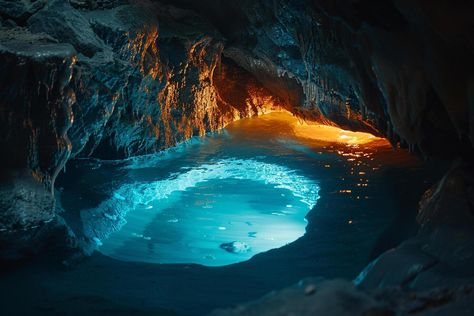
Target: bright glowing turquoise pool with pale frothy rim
[(217, 213)]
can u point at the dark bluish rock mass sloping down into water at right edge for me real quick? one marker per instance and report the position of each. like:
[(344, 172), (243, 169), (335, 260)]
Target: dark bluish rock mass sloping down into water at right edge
[(444, 242)]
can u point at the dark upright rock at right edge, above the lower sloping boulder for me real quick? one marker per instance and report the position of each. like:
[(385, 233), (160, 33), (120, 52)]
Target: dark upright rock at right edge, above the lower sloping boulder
[(447, 219)]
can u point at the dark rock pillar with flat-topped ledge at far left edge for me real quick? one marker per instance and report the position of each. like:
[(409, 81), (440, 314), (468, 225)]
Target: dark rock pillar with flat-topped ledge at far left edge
[(34, 123)]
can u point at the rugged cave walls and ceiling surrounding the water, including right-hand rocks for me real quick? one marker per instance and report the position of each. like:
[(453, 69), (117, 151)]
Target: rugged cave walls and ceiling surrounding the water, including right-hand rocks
[(113, 79)]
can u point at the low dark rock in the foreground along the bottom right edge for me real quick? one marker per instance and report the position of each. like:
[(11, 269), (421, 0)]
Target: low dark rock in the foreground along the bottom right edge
[(340, 297)]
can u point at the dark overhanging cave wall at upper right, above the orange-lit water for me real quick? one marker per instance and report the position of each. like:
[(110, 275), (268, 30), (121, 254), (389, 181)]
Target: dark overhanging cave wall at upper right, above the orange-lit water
[(403, 69)]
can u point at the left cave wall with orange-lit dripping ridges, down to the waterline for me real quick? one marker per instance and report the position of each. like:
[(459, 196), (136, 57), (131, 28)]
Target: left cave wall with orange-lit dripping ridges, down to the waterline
[(107, 79)]
